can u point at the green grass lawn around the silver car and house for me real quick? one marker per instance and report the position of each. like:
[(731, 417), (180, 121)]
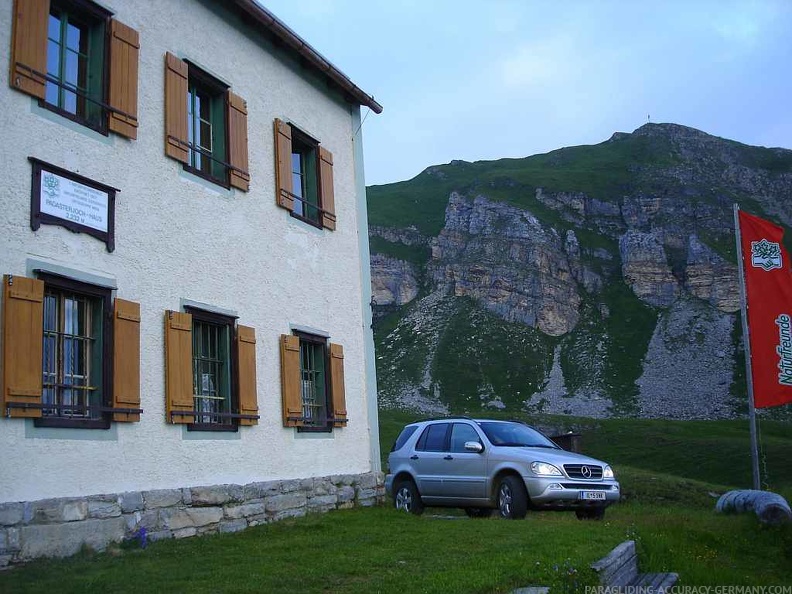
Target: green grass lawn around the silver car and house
[(669, 511)]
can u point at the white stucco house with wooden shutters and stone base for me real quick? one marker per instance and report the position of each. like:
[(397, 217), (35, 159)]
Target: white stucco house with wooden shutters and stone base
[(186, 332)]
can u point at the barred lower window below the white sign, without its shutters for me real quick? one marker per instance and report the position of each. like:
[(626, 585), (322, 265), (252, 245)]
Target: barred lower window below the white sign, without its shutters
[(75, 353)]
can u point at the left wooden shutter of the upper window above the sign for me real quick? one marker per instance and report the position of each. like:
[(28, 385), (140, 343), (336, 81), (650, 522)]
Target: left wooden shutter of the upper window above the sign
[(29, 46)]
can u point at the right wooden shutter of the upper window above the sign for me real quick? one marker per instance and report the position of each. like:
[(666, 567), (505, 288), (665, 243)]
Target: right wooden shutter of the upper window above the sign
[(124, 50)]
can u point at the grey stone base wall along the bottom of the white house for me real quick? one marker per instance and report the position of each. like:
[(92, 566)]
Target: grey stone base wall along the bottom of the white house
[(61, 527)]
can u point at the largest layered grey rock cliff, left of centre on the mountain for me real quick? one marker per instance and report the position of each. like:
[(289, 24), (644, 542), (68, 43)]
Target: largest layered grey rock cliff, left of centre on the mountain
[(504, 259)]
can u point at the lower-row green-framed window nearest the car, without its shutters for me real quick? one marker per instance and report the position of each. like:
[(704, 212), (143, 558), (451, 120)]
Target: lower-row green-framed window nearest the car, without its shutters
[(313, 381)]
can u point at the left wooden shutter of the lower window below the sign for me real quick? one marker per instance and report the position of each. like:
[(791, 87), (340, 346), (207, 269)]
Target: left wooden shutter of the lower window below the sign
[(23, 330)]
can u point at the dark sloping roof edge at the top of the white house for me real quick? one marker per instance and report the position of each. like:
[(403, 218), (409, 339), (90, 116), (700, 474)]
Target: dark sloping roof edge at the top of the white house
[(297, 44)]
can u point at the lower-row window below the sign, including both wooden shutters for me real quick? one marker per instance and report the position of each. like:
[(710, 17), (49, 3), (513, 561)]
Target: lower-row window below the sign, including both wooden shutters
[(71, 354)]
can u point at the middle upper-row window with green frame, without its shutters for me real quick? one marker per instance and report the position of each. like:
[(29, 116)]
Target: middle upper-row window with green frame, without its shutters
[(206, 126)]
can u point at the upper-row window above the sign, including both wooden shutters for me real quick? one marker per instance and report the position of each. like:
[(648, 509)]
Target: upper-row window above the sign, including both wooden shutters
[(78, 61)]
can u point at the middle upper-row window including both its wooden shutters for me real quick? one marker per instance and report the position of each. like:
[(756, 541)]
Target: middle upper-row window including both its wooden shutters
[(205, 125)]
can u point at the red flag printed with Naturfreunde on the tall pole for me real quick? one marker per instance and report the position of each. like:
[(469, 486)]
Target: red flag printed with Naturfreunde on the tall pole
[(768, 288)]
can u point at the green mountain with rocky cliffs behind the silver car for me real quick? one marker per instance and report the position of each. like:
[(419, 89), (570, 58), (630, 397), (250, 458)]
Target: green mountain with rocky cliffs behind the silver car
[(592, 280)]
